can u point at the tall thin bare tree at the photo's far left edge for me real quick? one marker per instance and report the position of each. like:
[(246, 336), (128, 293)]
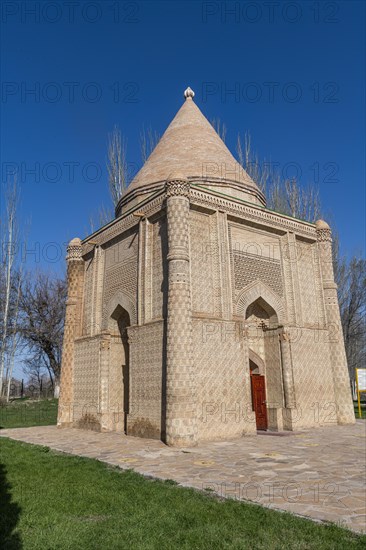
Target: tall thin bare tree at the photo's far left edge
[(9, 248)]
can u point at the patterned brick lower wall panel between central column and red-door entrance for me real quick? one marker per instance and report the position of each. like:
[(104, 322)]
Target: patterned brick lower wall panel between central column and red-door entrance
[(224, 407)]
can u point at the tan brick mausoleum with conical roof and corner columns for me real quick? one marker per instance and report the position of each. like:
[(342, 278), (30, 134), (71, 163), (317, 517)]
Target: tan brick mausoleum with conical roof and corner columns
[(197, 313)]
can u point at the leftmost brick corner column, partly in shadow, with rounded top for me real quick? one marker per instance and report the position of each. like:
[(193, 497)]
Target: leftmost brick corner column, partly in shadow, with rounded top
[(72, 329)]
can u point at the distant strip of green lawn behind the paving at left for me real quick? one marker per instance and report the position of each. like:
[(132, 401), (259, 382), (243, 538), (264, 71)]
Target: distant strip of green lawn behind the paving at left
[(26, 412)]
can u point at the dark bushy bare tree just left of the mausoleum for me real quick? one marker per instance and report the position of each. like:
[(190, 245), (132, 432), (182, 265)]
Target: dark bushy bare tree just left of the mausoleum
[(42, 306)]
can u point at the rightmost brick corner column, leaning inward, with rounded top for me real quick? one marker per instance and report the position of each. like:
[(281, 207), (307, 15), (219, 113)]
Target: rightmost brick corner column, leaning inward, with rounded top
[(338, 360)]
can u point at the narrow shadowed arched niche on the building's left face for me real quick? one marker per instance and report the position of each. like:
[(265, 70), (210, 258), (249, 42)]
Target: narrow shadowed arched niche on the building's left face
[(119, 375)]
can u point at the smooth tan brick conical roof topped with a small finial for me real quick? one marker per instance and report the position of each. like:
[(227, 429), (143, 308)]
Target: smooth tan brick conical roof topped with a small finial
[(191, 146)]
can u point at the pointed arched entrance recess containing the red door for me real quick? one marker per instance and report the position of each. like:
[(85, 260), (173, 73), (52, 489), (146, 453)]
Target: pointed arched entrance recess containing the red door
[(262, 329)]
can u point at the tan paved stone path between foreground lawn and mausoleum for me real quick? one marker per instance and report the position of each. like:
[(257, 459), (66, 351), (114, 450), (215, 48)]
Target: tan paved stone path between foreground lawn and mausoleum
[(318, 474)]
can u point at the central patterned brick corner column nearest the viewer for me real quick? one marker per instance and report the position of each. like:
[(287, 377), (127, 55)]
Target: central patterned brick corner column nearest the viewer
[(181, 422)]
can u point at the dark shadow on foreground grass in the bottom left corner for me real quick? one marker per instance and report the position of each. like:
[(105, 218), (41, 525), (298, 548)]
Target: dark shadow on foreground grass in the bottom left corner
[(9, 515)]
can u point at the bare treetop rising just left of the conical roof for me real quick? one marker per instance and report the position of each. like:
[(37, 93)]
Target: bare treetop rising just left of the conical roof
[(117, 165)]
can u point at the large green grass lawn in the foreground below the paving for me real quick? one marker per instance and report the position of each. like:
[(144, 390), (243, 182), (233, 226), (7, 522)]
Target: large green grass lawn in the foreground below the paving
[(49, 500)]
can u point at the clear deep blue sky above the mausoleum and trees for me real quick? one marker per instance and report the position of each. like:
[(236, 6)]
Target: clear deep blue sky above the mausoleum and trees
[(298, 71)]
